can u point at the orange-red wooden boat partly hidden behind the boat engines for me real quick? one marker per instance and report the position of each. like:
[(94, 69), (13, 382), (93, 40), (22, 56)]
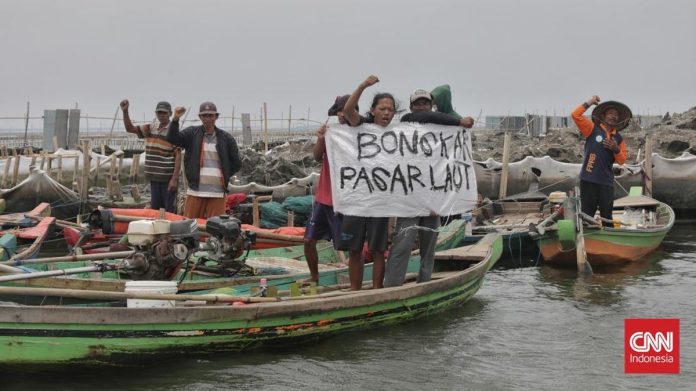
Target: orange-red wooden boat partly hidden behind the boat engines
[(99, 240)]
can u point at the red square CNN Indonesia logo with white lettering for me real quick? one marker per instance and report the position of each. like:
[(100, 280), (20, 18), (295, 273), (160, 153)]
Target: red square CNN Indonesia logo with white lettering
[(651, 346)]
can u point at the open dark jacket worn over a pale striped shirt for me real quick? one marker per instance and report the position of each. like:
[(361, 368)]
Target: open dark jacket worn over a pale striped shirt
[(191, 139)]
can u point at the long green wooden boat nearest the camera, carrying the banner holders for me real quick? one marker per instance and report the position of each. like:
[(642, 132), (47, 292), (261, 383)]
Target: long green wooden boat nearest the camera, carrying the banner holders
[(63, 334)]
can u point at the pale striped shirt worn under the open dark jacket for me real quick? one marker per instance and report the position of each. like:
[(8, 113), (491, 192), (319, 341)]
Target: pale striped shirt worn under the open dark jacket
[(210, 184)]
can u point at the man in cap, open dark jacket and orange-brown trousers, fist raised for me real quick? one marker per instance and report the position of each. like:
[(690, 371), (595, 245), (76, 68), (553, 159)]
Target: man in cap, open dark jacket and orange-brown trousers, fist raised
[(210, 160)]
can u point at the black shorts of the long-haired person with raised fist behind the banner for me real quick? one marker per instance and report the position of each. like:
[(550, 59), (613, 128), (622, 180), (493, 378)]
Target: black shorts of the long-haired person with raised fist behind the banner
[(356, 229)]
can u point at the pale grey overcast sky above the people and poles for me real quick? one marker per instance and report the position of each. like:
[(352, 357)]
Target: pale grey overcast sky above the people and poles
[(498, 56)]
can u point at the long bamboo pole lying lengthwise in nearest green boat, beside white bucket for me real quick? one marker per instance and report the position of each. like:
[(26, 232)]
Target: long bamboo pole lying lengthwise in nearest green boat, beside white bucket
[(100, 295)]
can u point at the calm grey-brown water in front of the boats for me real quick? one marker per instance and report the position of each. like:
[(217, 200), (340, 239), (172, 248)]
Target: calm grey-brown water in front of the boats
[(528, 328)]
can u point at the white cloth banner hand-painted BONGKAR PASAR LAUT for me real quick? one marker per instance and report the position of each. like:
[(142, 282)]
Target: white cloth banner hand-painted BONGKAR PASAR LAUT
[(403, 170)]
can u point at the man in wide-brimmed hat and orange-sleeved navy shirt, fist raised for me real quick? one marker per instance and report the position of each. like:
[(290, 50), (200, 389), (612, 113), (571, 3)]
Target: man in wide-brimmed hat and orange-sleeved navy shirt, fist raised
[(603, 146)]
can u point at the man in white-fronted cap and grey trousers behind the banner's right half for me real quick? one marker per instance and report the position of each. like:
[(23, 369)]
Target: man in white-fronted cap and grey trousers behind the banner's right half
[(424, 226)]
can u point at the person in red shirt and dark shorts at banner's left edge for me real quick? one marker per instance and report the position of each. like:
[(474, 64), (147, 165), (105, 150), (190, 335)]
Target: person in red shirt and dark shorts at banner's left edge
[(324, 223)]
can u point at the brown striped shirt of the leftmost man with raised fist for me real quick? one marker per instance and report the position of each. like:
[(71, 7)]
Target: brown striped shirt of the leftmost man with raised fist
[(160, 154)]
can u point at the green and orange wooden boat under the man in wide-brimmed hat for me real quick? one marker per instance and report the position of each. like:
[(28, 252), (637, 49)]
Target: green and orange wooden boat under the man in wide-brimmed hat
[(641, 224)]
